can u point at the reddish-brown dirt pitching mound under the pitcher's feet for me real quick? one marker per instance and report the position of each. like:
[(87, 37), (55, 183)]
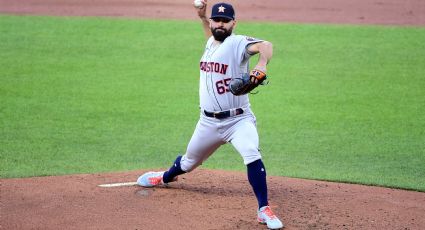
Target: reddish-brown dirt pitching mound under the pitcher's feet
[(203, 199)]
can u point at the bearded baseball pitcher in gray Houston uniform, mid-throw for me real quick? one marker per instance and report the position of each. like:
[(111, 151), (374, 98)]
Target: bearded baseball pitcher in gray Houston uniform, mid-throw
[(225, 82)]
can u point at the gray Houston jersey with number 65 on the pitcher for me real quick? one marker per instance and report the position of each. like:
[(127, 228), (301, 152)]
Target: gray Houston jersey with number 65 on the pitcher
[(218, 65)]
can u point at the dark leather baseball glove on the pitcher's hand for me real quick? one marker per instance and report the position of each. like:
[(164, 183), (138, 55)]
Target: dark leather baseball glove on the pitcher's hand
[(246, 83)]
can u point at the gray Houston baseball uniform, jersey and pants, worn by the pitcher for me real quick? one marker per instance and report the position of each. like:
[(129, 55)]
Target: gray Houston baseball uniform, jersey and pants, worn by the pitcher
[(218, 65)]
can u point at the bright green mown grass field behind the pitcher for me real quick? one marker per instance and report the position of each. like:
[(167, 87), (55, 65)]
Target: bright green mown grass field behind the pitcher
[(83, 95)]
